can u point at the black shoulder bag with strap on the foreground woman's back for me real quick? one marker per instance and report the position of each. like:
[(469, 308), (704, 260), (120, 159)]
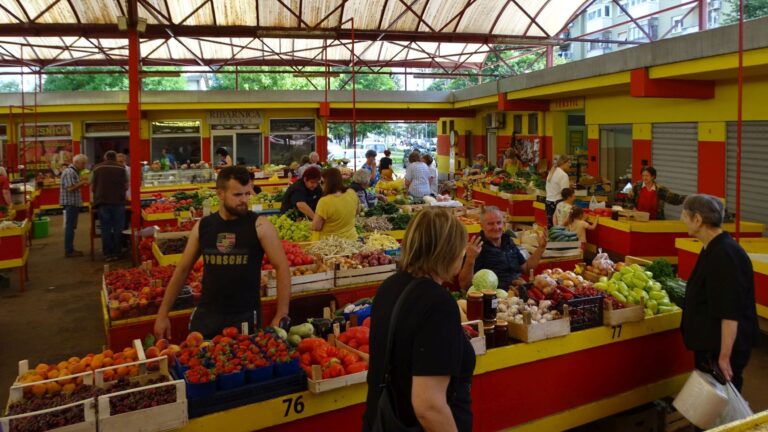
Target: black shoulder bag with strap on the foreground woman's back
[(387, 418)]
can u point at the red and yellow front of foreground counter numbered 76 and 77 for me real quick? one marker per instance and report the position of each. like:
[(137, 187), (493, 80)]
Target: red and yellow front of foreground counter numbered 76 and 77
[(596, 373)]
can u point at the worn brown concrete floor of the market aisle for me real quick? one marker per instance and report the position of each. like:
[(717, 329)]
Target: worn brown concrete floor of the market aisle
[(59, 314)]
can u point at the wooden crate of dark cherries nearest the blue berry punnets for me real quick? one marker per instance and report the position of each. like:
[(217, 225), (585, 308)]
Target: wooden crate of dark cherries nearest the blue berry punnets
[(159, 418)]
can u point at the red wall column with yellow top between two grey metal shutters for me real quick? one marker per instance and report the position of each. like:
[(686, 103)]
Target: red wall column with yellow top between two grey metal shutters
[(712, 175)]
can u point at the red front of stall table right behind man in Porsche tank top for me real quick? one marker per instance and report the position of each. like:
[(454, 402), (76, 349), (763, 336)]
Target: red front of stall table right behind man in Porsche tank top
[(121, 333)]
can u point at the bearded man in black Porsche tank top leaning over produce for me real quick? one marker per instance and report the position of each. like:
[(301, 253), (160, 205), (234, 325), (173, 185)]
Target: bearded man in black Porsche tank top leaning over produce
[(232, 243)]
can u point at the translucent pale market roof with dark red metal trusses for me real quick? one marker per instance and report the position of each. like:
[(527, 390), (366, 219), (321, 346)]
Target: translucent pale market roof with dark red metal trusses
[(214, 33)]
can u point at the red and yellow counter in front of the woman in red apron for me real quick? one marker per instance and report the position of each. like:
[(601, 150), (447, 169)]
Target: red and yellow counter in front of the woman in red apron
[(652, 239)]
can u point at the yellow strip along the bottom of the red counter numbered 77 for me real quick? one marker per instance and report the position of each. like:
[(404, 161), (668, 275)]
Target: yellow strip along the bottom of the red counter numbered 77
[(605, 407)]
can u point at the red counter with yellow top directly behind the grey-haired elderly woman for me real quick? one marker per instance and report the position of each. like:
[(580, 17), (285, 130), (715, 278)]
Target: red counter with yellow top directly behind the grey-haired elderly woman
[(688, 252)]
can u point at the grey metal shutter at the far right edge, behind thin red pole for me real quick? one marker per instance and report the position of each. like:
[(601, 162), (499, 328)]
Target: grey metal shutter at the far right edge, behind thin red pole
[(754, 171)]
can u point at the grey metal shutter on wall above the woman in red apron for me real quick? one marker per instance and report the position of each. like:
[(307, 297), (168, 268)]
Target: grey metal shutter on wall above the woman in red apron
[(675, 155)]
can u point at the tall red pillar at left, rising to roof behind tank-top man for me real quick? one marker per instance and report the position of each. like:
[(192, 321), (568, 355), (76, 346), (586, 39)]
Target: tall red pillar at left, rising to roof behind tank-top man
[(134, 124)]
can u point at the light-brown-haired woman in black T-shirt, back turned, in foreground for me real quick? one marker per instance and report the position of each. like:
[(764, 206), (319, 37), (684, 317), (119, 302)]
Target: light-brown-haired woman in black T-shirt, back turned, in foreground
[(431, 359)]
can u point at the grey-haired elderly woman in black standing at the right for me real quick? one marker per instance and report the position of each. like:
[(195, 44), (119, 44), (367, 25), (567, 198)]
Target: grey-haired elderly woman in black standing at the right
[(719, 316)]
